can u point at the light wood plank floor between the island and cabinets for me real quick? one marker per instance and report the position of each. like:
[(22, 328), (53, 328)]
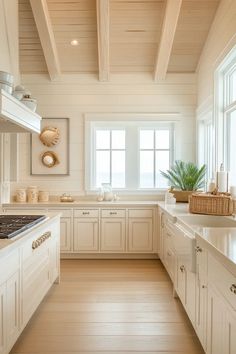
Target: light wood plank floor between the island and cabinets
[(110, 306)]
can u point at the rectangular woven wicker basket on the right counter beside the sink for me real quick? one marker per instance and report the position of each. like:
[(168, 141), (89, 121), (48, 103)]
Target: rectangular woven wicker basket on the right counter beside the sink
[(210, 204)]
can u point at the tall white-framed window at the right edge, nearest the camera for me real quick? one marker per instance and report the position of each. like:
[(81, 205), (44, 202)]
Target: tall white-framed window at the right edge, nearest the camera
[(226, 114)]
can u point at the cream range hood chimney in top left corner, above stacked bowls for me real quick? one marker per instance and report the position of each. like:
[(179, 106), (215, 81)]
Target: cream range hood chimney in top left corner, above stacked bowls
[(9, 51)]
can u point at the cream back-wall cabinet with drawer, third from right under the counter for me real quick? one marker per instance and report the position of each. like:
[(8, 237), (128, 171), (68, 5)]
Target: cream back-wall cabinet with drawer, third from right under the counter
[(86, 230)]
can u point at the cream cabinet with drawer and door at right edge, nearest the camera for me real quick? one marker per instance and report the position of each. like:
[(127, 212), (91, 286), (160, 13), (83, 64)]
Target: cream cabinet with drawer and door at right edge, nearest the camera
[(221, 309)]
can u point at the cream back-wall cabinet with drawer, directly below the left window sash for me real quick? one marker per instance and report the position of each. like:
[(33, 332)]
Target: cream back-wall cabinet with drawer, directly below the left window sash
[(113, 230)]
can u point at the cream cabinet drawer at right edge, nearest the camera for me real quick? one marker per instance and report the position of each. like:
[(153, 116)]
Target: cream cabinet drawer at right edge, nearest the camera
[(223, 280)]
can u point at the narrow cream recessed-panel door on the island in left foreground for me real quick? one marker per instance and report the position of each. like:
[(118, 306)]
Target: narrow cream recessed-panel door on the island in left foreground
[(13, 309)]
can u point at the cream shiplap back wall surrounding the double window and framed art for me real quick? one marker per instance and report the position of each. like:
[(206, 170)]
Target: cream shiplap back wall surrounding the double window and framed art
[(75, 96)]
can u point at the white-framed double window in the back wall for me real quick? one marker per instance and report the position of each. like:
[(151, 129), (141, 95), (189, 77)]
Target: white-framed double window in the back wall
[(128, 154)]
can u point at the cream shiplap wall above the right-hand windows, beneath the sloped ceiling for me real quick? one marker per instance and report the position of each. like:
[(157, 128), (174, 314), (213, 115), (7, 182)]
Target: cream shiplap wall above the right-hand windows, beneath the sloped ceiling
[(221, 38)]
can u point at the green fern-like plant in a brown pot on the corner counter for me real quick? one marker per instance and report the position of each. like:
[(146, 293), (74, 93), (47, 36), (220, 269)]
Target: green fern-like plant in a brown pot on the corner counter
[(184, 178)]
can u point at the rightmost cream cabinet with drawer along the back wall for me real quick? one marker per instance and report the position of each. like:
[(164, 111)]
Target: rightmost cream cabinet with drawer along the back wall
[(140, 230)]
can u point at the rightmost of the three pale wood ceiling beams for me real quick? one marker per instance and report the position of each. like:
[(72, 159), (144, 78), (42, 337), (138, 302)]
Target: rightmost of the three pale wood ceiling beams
[(167, 38)]
